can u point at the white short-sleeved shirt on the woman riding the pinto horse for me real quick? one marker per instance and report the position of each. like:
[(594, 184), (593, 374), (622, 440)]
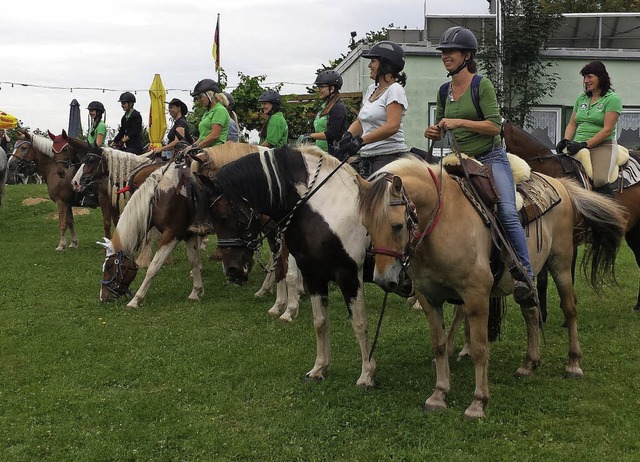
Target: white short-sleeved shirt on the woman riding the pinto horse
[(373, 115)]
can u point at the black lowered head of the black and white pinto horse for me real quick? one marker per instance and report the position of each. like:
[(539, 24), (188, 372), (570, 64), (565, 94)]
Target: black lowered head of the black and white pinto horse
[(237, 228)]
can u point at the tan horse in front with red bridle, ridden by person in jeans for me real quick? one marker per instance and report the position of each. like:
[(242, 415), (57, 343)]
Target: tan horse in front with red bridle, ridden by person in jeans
[(417, 214)]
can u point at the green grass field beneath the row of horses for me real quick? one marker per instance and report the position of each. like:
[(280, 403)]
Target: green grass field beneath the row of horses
[(218, 380)]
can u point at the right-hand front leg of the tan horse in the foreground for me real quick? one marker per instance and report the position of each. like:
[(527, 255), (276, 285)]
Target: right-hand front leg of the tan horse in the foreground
[(477, 311)]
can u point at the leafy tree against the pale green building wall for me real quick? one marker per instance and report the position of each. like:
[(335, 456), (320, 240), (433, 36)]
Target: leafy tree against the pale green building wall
[(526, 79)]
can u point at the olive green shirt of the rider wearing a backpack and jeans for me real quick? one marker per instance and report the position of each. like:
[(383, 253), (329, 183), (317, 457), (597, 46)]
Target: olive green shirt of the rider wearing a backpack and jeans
[(471, 143)]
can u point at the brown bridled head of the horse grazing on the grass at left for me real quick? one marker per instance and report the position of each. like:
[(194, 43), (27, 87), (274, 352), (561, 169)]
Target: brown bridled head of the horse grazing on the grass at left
[(118, 272)]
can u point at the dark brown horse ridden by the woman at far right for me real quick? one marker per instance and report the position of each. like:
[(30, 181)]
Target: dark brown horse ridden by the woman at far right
[(543, 160)]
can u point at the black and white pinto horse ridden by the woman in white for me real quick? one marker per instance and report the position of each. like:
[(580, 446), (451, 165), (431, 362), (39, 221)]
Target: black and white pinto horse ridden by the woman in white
[(322, 230)]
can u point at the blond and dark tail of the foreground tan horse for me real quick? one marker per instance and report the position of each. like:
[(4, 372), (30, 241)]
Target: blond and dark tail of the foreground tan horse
[(602, 223)]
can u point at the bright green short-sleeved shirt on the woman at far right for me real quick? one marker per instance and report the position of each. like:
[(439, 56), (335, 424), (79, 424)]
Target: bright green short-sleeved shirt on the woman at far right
[(590, 117)]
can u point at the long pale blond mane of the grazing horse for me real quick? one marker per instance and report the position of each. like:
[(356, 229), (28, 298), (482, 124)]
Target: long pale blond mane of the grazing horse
[(133, 225)]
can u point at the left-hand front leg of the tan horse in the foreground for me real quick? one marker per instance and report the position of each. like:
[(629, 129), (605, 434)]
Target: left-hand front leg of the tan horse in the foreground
[(437, 400)]
